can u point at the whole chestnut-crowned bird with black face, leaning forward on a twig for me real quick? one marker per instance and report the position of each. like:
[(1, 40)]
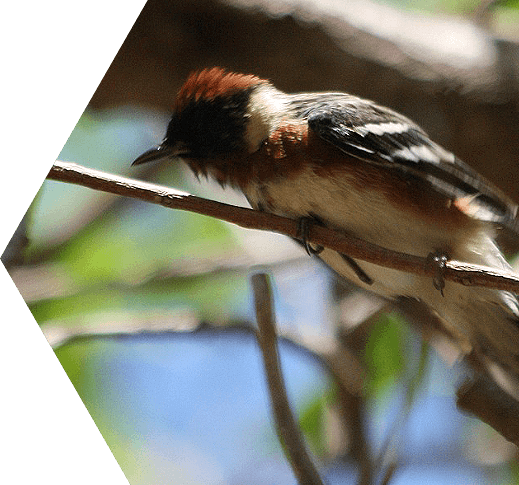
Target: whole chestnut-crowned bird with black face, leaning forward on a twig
[(354, 166)]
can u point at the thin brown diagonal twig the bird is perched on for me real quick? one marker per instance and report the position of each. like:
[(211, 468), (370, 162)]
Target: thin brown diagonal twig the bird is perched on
[(463, 273)]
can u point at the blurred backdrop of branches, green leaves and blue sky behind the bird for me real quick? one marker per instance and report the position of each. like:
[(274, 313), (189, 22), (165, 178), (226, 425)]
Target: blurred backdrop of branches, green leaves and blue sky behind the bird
[(149, 310)]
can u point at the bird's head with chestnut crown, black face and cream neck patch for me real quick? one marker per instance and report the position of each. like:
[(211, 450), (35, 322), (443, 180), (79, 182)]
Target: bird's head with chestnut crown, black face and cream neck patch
[(219, 114)]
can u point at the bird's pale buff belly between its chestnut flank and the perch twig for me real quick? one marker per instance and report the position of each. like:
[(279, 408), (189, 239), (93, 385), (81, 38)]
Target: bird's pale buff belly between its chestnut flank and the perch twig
[(366, 215)]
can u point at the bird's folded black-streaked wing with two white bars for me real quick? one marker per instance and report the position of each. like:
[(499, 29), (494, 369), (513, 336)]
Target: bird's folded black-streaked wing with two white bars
[(381, 136)]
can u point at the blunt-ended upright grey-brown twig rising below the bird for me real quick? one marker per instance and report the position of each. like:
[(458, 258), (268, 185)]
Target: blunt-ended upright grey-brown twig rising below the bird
[(288, 430)]
